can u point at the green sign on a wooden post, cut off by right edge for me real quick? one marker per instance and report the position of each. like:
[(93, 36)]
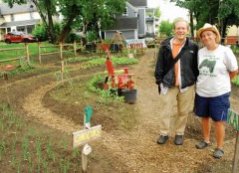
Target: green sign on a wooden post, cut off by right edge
[(233, 120)]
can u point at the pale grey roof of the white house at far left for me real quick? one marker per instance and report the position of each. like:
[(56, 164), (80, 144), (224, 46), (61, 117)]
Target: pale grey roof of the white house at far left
[(5, 9)]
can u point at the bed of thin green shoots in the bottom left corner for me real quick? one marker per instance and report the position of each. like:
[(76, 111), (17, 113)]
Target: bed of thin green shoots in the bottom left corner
[(20, 153)]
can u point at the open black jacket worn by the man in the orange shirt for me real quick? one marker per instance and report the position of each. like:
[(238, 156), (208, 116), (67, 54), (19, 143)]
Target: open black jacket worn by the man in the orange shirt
[(164, 71)]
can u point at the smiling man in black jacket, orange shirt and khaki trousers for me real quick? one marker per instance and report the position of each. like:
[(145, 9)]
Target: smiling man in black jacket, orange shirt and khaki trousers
[(176, 72)]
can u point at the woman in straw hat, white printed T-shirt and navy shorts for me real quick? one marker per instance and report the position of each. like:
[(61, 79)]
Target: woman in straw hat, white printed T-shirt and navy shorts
[(217, 65)]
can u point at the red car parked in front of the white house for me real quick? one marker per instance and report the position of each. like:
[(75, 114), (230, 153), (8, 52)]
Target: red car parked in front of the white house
[(18, 37)]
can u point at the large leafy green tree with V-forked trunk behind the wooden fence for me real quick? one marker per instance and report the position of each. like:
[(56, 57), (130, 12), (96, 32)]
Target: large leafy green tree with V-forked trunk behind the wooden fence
[(83, 14)]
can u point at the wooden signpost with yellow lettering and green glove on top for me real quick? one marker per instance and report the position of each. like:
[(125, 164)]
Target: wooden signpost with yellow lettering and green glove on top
[(86, 135)]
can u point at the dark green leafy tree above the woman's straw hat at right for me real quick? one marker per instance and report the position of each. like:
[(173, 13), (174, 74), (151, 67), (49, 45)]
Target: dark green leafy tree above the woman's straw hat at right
[(222, 13)]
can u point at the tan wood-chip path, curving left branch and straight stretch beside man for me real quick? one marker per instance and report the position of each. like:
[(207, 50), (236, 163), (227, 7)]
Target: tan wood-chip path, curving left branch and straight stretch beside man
[(136, 149)]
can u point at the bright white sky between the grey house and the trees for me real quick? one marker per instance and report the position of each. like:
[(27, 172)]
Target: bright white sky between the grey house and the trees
[(169, 11)]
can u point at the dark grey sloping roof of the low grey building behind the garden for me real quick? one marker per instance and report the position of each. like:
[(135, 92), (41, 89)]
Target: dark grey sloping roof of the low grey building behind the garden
[(124, 23)]
